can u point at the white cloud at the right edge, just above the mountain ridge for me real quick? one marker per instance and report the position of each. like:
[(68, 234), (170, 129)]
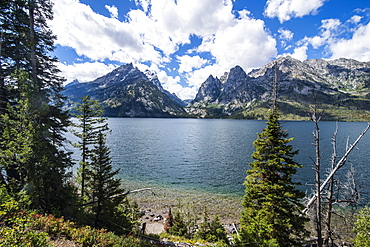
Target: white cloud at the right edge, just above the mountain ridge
[(357, 47)]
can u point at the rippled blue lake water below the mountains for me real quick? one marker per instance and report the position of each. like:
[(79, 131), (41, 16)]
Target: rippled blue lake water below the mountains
[(212, 155)]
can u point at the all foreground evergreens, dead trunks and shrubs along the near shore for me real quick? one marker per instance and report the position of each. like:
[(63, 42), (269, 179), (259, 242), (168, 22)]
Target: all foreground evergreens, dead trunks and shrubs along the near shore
[(42, 202)]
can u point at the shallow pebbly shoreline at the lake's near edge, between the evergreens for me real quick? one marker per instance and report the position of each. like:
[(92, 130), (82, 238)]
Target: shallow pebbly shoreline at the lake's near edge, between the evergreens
[(156, 202)]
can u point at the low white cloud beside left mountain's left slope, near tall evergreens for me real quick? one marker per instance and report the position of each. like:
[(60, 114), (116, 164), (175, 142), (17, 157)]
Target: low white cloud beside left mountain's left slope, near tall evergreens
[(84, 72)]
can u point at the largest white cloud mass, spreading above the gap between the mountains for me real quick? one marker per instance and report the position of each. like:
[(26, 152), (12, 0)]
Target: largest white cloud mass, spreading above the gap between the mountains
[(154, 33)]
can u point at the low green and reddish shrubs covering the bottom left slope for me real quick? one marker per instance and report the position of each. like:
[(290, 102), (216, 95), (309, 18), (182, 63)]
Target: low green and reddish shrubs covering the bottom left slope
[(19, 227)]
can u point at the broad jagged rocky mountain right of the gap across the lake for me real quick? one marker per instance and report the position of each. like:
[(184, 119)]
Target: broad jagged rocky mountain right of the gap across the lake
[(339, 87)]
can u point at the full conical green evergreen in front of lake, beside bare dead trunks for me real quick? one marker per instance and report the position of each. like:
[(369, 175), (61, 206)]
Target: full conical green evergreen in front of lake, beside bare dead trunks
[(272, 204)]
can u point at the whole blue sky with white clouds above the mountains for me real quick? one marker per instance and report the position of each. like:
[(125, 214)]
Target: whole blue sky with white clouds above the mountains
[(185, 41)]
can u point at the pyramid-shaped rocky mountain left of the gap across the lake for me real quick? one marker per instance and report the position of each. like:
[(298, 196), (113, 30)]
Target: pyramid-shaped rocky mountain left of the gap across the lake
[(127, 92)]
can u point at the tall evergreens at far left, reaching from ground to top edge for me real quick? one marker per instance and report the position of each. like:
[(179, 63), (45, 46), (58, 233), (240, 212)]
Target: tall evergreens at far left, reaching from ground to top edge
[(31, 89)]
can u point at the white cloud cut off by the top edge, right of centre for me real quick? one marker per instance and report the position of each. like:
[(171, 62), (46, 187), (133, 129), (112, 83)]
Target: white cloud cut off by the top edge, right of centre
[(285, 10)]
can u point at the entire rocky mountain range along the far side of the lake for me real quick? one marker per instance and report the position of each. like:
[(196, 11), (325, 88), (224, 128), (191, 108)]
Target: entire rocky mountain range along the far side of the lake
[(340, 88)]
